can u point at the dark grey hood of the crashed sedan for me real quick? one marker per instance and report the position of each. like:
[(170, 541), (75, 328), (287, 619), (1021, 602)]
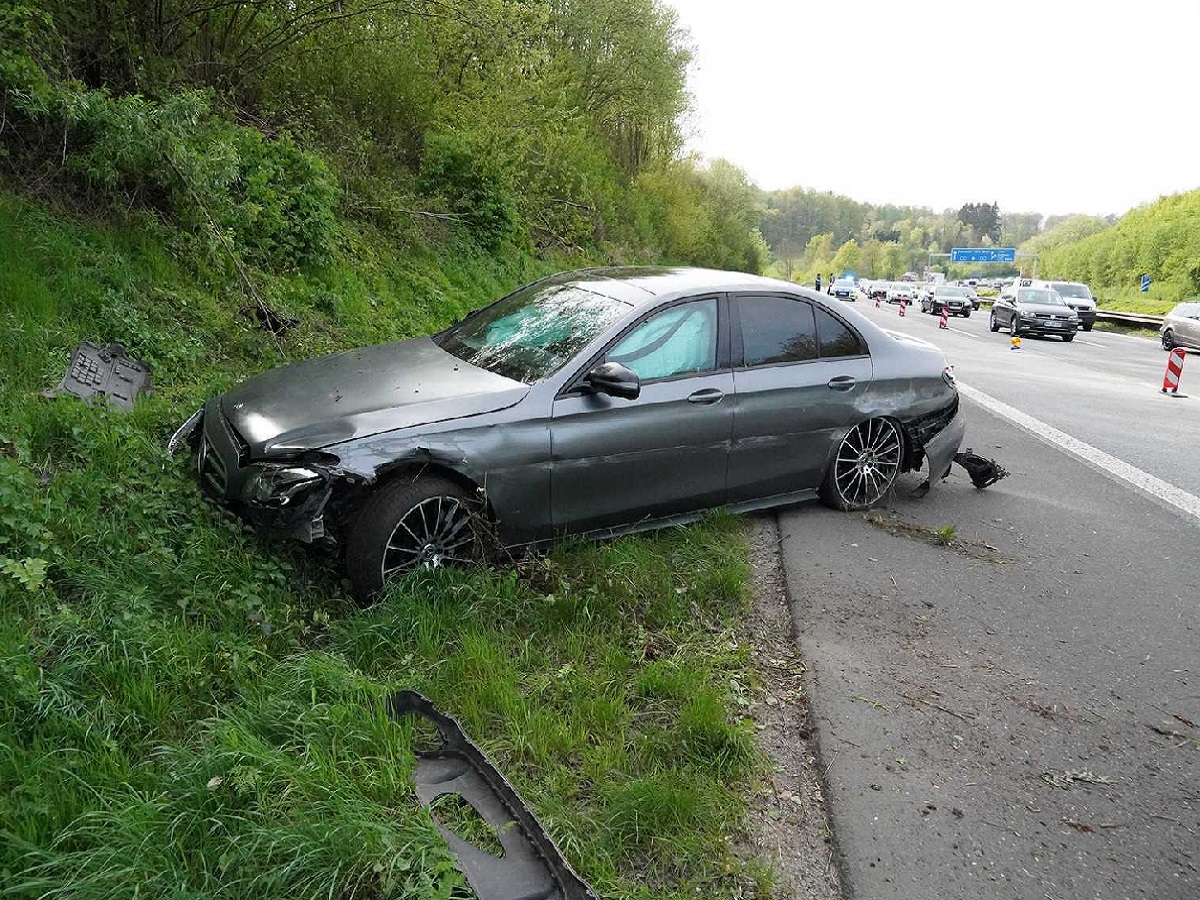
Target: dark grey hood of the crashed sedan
[(359, 393)]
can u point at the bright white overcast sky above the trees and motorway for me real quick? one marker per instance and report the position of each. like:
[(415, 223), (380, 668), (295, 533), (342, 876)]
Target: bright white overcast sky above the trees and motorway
[(1051, 106)]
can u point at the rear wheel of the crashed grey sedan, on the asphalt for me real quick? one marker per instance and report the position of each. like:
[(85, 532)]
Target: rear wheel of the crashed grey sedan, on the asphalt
[(865, 467)]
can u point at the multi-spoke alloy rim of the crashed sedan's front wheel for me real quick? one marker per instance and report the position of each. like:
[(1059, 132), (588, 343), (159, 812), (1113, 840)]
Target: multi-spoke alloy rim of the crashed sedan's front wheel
[(435, 533)]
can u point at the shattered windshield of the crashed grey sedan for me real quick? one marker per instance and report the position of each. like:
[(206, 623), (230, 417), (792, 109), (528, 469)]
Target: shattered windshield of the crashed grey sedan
[(533, 333)]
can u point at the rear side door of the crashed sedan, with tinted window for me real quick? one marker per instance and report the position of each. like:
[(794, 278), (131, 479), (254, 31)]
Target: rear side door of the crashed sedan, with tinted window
[(799, 373)]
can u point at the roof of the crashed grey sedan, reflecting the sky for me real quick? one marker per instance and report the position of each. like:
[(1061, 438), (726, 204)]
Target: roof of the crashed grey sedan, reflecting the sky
[(640, 285)]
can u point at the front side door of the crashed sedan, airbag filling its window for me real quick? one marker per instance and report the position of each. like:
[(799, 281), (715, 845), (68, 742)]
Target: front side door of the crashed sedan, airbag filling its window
[(617, 461)]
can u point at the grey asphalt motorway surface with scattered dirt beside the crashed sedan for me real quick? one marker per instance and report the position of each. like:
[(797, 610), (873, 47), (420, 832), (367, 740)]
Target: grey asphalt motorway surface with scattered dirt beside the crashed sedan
[(1017, 715)]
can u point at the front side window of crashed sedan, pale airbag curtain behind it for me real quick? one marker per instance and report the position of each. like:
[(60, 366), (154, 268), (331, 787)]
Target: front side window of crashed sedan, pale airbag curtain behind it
[(681, 340)]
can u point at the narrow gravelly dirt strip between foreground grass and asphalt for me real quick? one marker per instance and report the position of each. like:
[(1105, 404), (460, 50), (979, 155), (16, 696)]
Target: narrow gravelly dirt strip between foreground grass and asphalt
[(789, 823)]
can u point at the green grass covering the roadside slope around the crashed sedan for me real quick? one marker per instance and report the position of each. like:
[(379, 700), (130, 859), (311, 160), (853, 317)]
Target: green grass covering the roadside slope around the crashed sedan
[(187, 711)]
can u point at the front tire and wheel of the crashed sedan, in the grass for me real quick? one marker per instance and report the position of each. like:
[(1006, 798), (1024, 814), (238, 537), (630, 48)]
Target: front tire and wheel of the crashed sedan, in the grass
[(439, 525)]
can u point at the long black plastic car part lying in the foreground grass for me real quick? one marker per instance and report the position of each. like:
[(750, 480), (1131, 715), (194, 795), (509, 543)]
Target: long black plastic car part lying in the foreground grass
[(532, 867)]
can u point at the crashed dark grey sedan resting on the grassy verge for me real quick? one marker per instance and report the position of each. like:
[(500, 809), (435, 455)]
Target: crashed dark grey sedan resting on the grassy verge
[(596, 403)]
